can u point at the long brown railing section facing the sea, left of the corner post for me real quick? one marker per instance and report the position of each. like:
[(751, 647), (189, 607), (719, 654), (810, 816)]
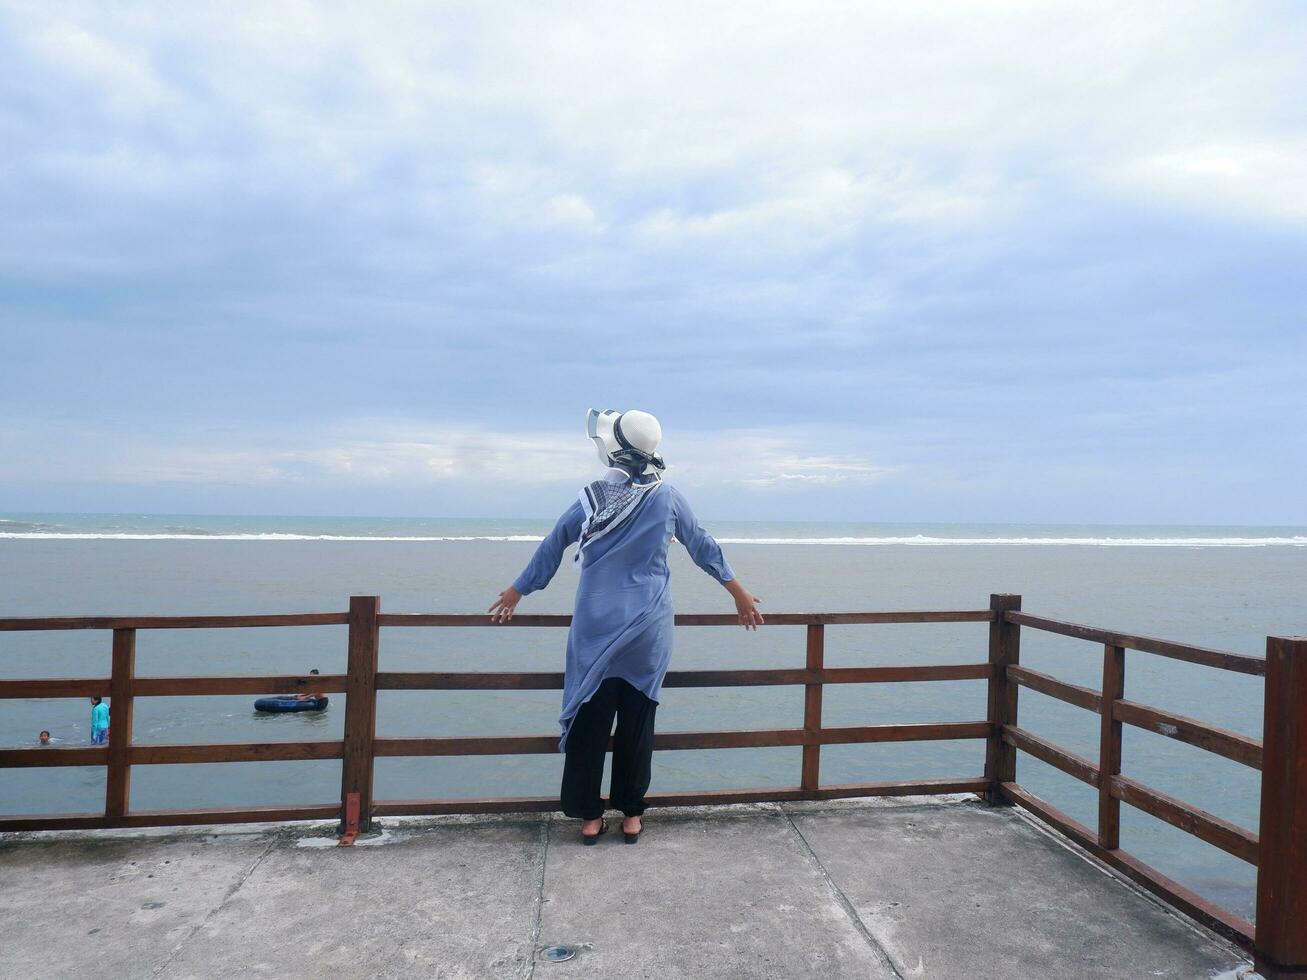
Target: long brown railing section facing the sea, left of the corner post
[(361, 747)]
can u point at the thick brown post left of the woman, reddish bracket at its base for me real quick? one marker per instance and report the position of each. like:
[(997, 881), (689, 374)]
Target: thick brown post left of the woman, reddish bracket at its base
[(360, 708)]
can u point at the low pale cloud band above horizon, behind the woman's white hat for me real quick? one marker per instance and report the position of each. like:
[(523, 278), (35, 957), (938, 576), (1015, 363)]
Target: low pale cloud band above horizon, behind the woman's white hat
[(411, 457)]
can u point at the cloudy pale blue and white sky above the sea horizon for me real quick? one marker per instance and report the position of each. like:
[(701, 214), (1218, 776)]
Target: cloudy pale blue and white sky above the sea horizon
[(952, 262)]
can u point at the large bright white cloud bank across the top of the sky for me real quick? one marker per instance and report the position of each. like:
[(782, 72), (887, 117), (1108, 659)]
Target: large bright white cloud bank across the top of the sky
[(803, 122)]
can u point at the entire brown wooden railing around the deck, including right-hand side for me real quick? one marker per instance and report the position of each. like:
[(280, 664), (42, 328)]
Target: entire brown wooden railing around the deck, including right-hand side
[(1279, 943)]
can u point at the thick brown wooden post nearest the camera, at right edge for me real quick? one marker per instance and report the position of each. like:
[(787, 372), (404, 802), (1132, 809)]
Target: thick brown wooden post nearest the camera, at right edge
[(1282, 934)]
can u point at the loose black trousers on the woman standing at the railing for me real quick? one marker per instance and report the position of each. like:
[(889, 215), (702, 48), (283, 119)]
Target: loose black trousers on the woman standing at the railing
[(633, 752)]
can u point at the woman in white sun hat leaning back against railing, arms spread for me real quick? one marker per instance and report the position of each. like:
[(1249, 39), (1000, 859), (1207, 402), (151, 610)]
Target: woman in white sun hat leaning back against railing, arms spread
[(620, 642)]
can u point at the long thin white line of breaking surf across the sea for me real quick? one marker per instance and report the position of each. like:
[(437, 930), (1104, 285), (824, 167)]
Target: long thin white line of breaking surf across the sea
[(914, 540)]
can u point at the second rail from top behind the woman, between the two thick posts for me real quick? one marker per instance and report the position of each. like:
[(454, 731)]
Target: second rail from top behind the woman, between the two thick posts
[(503, 681)]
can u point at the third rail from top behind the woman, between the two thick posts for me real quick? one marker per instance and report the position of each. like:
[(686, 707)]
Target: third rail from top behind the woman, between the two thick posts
[(760, 739)]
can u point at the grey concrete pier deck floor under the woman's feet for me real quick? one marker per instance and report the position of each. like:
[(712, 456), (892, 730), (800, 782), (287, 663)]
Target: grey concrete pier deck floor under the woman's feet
[(870, 889)]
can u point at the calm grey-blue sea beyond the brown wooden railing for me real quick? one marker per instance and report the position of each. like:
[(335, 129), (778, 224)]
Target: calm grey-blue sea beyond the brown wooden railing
[(1224, 587)]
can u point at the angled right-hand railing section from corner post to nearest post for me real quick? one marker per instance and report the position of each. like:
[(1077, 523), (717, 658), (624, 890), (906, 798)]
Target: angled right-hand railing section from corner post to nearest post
[(1280, 853)]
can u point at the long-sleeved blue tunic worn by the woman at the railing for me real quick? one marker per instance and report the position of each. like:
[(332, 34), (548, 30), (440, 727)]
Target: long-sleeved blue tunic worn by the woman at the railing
[(623, 621)]
